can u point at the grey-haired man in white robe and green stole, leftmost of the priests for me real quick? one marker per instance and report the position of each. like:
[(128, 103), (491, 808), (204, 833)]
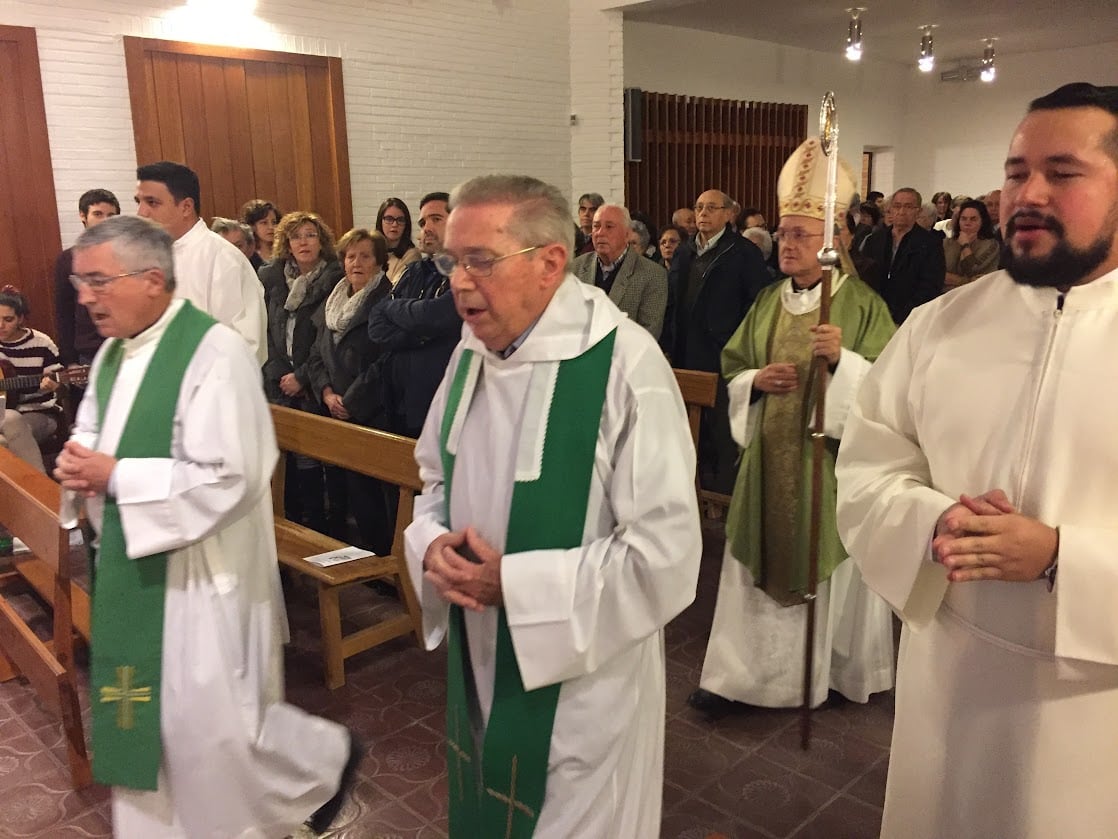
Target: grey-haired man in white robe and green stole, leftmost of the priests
[(173, 454)]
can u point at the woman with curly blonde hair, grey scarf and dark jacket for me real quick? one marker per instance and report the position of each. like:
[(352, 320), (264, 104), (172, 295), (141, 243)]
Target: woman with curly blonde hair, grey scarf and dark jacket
[(304, 271)]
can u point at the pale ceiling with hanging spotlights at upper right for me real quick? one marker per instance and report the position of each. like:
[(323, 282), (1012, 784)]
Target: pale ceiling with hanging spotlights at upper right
[(892, 29)]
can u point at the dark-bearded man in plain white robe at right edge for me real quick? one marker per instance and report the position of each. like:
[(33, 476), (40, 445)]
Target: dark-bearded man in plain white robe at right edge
[(978, 494)]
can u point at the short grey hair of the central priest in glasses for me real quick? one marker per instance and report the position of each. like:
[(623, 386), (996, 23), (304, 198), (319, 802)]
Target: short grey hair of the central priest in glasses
[(543, 215)]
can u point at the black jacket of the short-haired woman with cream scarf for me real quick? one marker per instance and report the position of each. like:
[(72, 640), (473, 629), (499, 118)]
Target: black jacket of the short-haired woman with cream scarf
[(349, 365)]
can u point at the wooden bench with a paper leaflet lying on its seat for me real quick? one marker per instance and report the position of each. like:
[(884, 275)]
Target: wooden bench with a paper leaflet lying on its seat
[(387, 457)]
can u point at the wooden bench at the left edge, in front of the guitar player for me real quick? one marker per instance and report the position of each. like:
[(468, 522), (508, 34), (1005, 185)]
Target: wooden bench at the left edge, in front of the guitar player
[(30, 511)]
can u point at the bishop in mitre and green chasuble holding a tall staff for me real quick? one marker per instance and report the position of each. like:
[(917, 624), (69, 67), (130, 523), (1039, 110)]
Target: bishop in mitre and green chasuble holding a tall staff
[(756, 651)]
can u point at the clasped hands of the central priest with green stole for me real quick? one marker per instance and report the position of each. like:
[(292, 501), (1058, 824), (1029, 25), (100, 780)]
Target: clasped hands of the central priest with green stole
[(458, 580)]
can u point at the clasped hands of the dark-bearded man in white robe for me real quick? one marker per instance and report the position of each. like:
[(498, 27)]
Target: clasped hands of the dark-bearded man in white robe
[(984, 538)]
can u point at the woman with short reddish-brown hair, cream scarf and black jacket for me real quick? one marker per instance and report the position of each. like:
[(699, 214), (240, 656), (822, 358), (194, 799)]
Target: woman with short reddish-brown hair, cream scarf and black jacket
[(345, 378)]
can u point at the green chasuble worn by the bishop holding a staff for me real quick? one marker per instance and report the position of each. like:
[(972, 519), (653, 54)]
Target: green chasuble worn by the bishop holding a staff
[(770, 517)]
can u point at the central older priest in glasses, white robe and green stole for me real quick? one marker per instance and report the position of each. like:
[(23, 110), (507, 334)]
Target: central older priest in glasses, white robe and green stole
[(557, 534)]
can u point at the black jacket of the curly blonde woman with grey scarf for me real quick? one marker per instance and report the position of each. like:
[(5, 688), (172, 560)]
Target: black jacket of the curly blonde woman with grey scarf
[(279, 363)]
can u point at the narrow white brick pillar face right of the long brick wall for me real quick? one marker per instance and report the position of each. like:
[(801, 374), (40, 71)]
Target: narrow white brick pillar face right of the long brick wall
[(598, 80)]
